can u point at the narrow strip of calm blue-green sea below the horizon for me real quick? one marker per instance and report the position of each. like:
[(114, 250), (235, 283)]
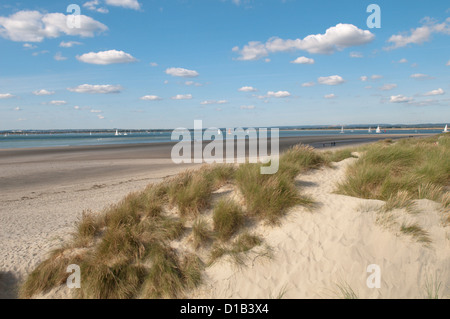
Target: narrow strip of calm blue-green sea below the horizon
[(78, 139)]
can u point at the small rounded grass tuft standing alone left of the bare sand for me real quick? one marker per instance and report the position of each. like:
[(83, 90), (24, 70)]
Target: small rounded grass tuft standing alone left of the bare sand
[(228, 218)]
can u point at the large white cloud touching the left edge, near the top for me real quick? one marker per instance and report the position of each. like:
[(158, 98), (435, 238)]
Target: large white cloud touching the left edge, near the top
[(33, 26)]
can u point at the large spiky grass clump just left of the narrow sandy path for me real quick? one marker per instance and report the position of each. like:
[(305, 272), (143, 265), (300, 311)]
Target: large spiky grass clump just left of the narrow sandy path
[(267, 197)]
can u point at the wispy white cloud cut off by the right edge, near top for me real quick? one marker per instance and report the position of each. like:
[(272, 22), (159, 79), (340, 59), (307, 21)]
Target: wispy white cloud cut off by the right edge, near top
[(419, 35)]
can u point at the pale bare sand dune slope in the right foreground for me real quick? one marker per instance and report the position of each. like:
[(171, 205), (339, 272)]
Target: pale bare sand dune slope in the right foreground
[(315, 251)]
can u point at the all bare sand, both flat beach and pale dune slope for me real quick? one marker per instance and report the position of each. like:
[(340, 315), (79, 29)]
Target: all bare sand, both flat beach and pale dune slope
[(45, 191)]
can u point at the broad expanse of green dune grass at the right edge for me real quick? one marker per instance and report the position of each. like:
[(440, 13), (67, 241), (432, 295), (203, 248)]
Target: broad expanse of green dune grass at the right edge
[(419, 167)]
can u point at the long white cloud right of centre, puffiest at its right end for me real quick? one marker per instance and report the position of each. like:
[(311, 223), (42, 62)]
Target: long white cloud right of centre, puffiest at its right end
[(335, 38)]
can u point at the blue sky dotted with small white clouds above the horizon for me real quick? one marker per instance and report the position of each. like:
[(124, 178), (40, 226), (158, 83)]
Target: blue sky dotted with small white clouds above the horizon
[(164, 64)]
